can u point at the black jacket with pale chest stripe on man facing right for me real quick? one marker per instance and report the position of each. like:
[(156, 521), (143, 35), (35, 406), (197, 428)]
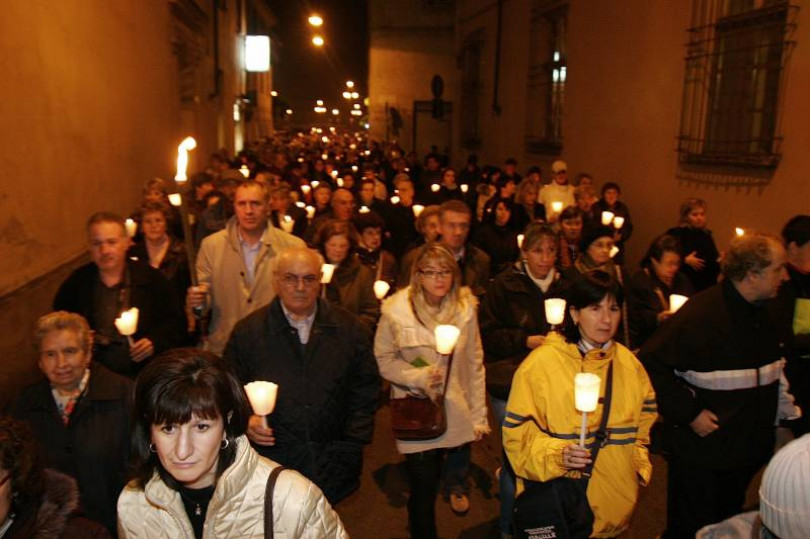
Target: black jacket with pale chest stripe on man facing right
[(716, 330)]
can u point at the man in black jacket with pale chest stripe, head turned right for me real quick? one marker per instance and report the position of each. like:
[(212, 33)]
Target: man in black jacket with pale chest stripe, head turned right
[(716, 367)]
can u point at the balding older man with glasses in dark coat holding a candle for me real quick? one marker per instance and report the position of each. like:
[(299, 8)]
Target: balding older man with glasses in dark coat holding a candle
[(321, 357)]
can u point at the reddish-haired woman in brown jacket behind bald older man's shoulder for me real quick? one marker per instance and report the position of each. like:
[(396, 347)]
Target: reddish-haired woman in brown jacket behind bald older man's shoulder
[(352, 284)]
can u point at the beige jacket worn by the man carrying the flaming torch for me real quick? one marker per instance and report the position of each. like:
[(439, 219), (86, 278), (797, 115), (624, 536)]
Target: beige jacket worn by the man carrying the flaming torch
[(221, 266)]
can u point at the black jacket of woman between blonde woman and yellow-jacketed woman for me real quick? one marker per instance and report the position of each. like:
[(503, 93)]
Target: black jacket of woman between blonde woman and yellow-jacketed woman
[(511, 311)]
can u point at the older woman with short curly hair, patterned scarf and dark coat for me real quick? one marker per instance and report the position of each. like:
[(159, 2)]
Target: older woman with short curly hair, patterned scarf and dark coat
[(79, 413)]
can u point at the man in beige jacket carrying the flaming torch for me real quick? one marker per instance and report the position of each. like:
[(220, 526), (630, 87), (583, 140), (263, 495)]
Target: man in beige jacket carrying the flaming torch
[(233, 266)]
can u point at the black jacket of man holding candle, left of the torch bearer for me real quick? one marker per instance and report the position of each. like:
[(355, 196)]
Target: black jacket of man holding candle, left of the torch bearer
[(161, 318)]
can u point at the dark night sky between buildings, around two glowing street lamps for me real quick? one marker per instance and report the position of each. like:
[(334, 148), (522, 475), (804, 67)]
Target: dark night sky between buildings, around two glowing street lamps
[(303, 73)]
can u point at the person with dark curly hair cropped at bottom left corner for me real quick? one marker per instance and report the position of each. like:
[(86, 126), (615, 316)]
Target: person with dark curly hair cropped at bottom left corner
[(36, 502)]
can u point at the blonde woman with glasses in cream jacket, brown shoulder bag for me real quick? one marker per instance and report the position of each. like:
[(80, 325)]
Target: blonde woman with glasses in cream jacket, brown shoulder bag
[(405, 348)]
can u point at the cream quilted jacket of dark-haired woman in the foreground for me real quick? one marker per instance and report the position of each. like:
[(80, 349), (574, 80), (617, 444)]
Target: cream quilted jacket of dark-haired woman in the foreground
[(237, 507)]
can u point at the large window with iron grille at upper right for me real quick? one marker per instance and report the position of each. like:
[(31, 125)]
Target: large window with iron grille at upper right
[(736, 62)]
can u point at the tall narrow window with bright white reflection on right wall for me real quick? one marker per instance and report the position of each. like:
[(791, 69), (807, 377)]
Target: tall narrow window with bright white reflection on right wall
[(547, 76)]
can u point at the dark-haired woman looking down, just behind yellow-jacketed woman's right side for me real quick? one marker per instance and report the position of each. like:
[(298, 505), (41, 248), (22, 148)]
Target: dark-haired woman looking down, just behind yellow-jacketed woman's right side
[(649, 289)]
